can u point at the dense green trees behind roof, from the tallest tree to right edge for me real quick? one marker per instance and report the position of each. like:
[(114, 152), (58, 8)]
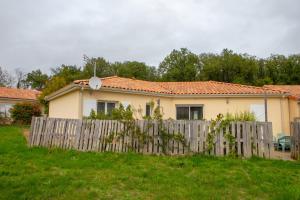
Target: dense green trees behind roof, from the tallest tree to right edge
[(183, 65)]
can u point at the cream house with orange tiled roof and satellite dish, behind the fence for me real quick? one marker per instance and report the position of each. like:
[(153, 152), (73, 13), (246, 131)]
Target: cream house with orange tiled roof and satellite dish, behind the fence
[(178, 100)]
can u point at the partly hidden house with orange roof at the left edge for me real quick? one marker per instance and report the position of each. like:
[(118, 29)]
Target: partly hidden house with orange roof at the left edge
[(11, 96)]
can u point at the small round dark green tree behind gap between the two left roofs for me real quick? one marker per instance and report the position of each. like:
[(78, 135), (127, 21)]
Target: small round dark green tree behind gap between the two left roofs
[(36, 79)]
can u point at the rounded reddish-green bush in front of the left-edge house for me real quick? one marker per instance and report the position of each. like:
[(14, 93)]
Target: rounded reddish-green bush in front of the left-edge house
[(22, 113)]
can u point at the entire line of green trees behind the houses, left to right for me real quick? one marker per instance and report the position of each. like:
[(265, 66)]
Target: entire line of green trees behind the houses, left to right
[(179, 65)]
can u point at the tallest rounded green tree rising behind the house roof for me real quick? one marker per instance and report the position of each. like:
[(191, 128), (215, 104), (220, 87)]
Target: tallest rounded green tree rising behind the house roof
[(180, 65)]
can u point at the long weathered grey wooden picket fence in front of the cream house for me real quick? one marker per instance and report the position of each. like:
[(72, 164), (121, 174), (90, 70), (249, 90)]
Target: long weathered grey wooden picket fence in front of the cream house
[(249, 138)]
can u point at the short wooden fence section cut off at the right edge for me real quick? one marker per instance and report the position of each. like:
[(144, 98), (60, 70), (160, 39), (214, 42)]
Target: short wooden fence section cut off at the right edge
[(295, 139)]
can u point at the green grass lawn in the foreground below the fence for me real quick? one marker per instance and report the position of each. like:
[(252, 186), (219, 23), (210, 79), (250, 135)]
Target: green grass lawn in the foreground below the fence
[(39, 173)]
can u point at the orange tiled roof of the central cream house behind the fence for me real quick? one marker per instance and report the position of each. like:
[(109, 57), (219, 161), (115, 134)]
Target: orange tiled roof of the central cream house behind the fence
[(181, 88)]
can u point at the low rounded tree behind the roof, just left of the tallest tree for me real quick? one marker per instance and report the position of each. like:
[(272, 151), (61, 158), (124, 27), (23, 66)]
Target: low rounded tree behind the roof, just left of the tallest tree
[(134, 69)]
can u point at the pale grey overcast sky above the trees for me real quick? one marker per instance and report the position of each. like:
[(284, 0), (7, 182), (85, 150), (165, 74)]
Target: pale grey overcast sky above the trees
[(42, 34)]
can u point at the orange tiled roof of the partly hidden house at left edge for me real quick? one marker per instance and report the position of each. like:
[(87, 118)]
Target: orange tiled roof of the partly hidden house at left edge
[(14, 93)]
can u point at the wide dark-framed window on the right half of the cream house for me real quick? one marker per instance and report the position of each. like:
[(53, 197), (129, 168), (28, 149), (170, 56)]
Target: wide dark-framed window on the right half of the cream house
[(189, 112)]
